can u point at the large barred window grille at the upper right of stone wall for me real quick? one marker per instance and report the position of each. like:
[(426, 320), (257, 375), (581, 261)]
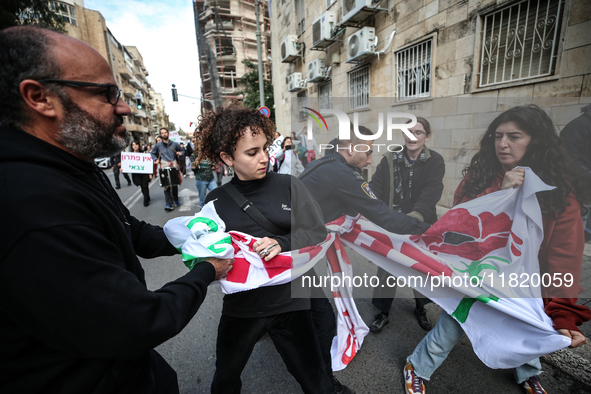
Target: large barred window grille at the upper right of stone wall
[(520, 41)]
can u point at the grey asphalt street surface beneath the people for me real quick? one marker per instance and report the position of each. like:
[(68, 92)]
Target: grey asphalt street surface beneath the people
[(377, 367)]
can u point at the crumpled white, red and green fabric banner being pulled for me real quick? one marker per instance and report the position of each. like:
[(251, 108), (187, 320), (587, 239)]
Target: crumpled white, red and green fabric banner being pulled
[(482, 241)]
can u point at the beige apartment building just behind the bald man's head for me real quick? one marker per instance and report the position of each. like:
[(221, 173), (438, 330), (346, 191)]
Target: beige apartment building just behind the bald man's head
[(126, 61)]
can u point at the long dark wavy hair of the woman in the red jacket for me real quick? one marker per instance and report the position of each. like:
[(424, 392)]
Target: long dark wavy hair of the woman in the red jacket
[(545, 155)]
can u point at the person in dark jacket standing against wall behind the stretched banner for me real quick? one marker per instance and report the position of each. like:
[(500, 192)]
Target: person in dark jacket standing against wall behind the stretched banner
[(409, 181)]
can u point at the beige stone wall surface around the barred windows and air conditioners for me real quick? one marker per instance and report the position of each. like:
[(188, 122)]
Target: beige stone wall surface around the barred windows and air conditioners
[(459, 111)]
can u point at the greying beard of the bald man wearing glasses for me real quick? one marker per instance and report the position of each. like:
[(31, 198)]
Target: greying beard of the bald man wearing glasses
[(83, 134)]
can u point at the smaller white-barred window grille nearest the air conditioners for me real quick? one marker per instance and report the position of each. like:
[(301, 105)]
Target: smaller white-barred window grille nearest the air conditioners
[(413, 70)]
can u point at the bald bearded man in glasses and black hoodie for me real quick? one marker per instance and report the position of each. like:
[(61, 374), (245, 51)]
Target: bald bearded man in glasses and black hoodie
[(75, 314)]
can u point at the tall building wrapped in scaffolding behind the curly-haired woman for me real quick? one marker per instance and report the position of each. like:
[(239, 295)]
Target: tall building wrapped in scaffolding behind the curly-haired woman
[(227, 28)]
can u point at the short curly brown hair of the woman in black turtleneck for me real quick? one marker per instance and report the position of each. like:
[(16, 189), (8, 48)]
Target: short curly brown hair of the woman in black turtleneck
[(220, 130)]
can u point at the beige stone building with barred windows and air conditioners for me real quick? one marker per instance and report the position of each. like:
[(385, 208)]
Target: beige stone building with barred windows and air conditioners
[(458, 63)]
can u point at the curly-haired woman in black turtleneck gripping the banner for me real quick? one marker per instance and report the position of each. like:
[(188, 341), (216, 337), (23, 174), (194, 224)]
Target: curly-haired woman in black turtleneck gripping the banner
[(240, 137)]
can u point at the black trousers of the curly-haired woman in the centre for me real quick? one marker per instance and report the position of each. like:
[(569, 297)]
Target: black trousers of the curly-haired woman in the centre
[(294, 338)]
